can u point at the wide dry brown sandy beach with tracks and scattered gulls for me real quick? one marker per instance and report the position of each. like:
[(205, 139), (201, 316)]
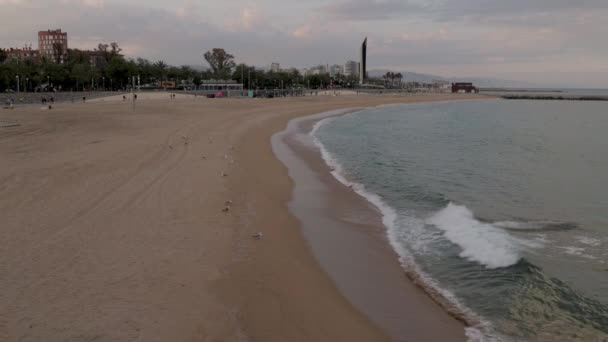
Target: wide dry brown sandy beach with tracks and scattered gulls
[(135, 223)]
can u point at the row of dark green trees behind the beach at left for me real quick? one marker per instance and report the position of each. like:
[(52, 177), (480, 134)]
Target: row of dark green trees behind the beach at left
[(106, 68)]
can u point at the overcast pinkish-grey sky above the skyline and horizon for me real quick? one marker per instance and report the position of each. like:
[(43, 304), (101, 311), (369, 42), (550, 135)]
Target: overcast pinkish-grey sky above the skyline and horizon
[(548, 42)]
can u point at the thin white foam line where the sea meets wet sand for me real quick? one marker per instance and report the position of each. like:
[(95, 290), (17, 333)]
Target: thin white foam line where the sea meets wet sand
[(389, 219)]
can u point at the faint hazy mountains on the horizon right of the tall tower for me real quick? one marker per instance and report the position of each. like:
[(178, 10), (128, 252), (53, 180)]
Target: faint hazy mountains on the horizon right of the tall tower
[(478, 81)]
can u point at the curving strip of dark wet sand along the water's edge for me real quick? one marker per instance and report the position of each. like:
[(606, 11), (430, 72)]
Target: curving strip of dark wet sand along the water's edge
[(389, 298)]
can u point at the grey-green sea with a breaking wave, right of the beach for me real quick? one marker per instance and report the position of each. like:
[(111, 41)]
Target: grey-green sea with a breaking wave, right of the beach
[(500, 206)]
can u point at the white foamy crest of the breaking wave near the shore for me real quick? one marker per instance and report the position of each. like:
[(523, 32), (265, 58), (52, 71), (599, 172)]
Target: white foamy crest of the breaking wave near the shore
[(480, 242)]
